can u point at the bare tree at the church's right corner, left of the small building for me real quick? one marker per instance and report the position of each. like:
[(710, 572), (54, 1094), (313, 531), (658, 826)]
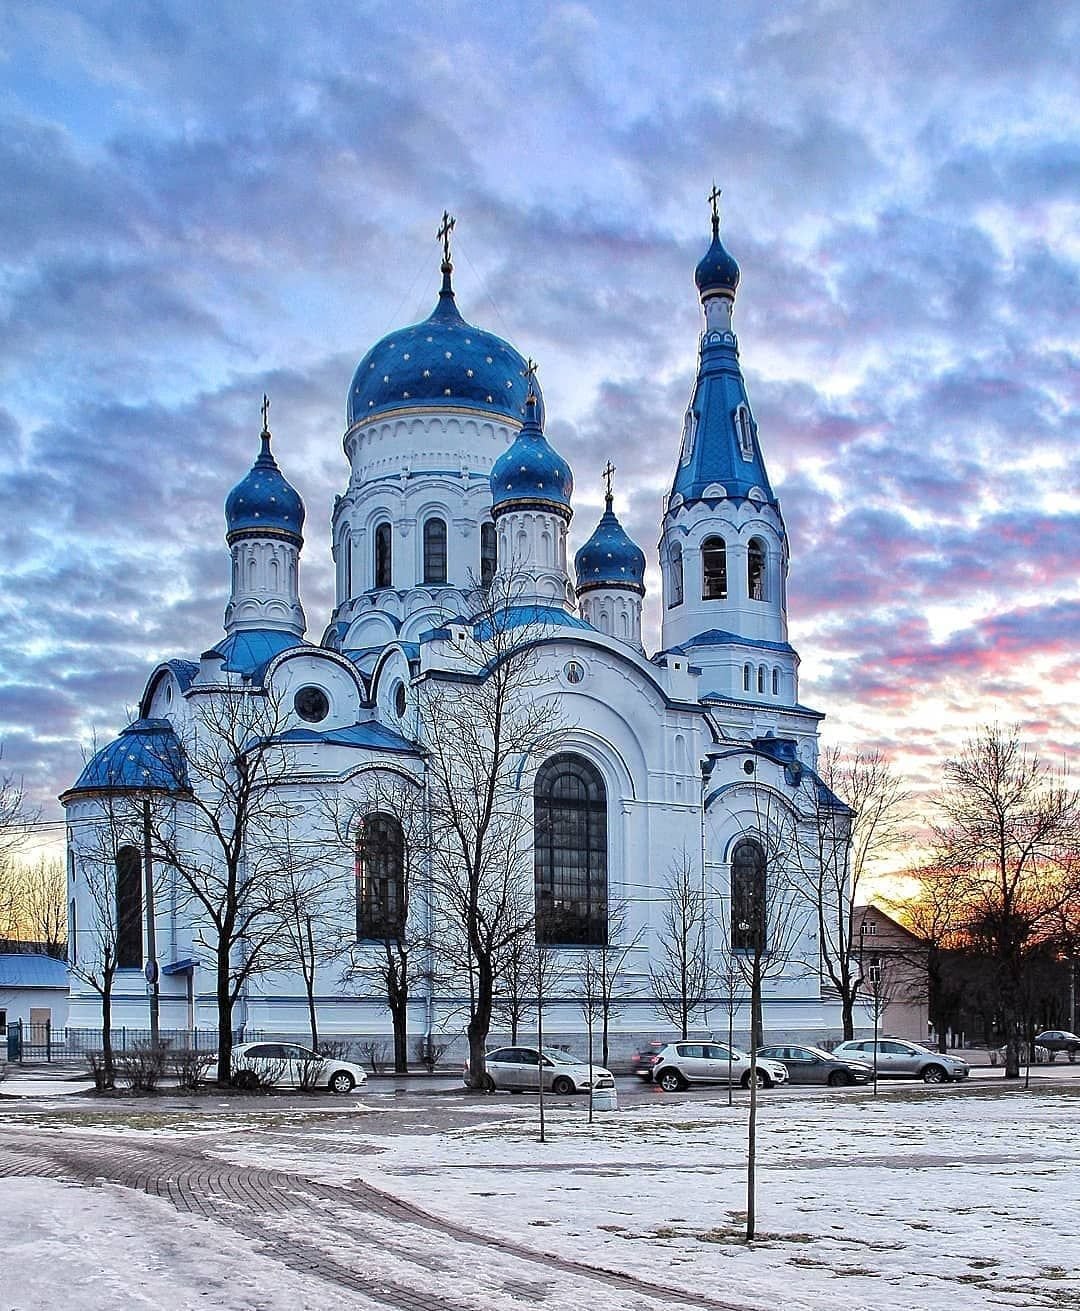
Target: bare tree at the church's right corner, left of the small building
[(843, 842)]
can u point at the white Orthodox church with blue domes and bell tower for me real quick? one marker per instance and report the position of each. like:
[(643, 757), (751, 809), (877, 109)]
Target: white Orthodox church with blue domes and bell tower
[(452, 487)]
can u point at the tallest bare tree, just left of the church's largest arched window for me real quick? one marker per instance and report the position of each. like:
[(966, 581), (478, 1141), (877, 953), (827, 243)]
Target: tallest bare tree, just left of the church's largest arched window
[(486, 720)]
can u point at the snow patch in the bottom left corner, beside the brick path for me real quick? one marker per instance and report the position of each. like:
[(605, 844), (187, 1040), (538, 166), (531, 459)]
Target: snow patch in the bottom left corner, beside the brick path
[(99, 1249)]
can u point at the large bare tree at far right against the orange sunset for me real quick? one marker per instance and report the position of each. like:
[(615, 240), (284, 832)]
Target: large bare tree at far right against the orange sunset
[(1007, 844)]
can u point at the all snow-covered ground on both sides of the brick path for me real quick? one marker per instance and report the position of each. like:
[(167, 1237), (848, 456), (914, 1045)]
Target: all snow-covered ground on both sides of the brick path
[(916, 1199)]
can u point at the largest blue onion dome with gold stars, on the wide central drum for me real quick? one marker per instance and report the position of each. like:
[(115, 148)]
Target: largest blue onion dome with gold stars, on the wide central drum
[(442, 361)]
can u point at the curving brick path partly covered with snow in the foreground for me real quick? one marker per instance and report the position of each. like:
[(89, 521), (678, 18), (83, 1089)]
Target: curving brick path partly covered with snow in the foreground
[(306, 1225)]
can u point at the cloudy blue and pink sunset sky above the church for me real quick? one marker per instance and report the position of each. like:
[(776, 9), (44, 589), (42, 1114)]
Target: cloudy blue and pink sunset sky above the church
[(204, 204)]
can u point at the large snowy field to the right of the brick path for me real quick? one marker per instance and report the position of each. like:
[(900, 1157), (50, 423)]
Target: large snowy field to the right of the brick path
[(910, 1199)]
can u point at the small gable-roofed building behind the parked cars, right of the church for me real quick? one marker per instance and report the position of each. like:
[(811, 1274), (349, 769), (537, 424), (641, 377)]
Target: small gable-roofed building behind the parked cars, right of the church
[(895, 976)]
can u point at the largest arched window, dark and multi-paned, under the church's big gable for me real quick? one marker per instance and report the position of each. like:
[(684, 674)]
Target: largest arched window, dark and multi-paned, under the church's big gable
[(571, 853)]
